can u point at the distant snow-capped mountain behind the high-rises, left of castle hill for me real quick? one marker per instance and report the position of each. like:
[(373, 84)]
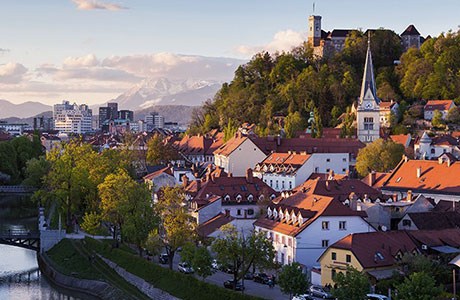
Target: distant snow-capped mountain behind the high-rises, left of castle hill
[(163, 91)]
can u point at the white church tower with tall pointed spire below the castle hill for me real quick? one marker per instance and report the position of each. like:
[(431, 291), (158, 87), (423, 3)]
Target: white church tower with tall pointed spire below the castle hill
[(368, 116)]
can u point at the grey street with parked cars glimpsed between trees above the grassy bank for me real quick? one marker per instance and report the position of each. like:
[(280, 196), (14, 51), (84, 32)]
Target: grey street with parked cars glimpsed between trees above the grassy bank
[(251, 287)]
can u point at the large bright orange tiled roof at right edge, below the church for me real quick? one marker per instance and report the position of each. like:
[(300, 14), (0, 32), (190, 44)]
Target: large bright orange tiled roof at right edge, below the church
[(424, 176)]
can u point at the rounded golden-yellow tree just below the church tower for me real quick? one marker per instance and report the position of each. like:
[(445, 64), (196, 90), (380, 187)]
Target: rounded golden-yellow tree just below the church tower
[(379, 156)]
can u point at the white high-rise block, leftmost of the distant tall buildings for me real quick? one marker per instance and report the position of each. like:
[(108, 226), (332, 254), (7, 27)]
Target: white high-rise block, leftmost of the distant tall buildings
[(72, 118)]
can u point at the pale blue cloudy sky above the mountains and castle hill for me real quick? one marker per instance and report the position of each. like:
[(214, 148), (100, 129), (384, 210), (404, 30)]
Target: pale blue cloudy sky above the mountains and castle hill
[(93, 50)]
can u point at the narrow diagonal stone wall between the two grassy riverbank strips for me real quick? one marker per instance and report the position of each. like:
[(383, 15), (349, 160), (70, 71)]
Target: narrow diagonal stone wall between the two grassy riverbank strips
[(140, 283)]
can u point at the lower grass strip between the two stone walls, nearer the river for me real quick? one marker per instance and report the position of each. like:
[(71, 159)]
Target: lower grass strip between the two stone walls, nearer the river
[(73, 258)]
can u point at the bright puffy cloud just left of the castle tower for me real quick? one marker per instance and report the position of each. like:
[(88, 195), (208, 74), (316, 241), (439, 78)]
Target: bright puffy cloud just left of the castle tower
[(282, 41)]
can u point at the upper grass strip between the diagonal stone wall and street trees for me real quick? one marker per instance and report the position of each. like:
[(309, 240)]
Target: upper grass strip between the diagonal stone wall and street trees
[(177, 284)]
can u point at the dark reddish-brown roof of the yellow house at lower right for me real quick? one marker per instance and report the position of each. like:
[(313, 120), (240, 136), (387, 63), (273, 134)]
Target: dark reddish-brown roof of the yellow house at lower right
[(377, 249)]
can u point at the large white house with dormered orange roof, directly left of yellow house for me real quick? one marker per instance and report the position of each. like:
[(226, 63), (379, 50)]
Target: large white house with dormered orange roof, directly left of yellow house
[(302, 225)]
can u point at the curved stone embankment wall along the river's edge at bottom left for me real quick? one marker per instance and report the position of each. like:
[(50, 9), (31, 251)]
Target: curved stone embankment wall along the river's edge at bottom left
[(94, 288)]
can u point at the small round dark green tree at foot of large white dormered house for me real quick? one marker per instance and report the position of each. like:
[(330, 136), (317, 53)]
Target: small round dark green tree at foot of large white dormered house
[(292, 280)]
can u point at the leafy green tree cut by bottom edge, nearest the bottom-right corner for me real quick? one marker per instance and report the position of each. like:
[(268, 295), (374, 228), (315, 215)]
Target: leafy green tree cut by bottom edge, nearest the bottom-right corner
[(418, 286)]
